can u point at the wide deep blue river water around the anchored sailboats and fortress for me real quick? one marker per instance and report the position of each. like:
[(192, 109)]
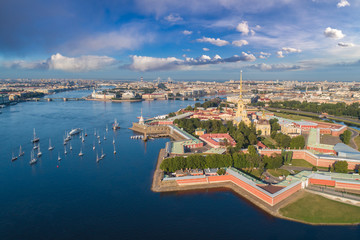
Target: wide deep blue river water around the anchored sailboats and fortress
[(78, 198)]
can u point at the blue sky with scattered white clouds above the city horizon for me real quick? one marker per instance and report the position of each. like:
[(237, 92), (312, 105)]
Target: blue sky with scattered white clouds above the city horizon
[(211, 40)]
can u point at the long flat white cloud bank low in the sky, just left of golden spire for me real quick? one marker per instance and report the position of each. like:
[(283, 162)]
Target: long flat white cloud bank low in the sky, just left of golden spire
[(144, 63)]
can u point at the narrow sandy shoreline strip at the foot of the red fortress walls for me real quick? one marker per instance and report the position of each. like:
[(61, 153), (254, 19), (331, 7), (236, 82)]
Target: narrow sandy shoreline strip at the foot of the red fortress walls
[(172, 186)]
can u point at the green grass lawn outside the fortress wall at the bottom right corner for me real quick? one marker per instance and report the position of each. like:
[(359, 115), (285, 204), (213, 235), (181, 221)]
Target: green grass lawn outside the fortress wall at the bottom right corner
[(313, 208)]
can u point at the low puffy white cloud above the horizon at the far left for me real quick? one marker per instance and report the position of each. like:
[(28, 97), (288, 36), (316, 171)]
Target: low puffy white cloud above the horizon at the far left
[(68, 64)]
